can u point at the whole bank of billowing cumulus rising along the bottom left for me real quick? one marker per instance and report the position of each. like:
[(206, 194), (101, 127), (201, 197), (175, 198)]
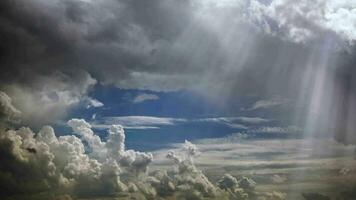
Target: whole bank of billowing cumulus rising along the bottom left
[(70, 165)]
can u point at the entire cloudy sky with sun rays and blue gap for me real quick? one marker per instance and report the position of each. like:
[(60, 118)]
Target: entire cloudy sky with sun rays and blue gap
[(213, 72)]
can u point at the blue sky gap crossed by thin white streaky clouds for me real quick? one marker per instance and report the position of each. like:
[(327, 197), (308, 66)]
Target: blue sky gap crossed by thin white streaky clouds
[(154, 120)]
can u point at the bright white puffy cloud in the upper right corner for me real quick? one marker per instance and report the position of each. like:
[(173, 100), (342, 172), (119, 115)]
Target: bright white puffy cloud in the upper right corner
[(305, 20)]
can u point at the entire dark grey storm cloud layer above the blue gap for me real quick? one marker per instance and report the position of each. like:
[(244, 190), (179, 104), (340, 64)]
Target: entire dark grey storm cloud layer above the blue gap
[(221, 50)]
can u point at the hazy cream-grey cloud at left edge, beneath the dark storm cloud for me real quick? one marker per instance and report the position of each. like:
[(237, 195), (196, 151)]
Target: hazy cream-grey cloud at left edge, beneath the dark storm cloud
[(47, 98)]
